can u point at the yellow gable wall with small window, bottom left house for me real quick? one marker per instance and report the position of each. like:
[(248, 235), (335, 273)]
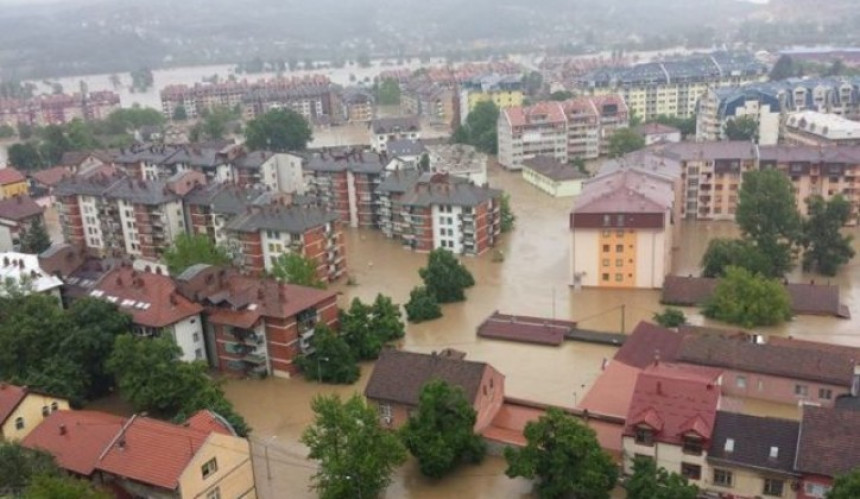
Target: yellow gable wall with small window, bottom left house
[(235, 474)]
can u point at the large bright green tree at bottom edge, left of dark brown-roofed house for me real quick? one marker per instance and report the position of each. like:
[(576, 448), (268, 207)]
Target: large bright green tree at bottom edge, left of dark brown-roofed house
[(356, 455)]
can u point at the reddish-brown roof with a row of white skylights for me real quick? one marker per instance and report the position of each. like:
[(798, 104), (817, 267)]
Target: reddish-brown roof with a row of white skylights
[(150, 298)]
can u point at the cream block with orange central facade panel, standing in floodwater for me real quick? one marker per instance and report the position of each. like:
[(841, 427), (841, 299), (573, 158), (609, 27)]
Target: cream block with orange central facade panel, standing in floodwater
[(622, 228)]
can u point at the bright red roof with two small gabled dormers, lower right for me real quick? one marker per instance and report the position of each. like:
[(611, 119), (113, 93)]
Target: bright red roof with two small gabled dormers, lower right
[(674, 401)]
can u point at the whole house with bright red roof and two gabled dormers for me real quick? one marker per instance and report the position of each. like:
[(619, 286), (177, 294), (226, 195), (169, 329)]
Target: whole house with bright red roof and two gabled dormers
[(671, 418)]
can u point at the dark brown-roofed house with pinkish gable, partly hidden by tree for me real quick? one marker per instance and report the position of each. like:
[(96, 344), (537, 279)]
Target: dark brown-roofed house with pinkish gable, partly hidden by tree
[(398, 376)]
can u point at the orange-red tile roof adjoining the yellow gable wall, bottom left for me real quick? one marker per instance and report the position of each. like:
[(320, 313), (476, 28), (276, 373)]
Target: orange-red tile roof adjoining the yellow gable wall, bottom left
[(152, 452)]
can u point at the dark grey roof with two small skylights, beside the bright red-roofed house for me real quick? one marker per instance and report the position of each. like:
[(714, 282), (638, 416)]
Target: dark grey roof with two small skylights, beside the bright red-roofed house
[(752, 439)]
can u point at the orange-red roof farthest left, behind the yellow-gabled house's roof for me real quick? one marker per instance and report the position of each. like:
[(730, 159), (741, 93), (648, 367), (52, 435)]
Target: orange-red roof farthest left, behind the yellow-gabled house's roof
[(76, 439)]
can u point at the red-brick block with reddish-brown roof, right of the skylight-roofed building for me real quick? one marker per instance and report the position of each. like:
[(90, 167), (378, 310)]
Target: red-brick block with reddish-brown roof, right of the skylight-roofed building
[(256, 326)]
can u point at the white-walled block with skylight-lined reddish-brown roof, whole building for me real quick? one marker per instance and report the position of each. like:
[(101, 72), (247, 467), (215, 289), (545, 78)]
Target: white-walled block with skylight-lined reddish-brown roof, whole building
[(156, 307)]
